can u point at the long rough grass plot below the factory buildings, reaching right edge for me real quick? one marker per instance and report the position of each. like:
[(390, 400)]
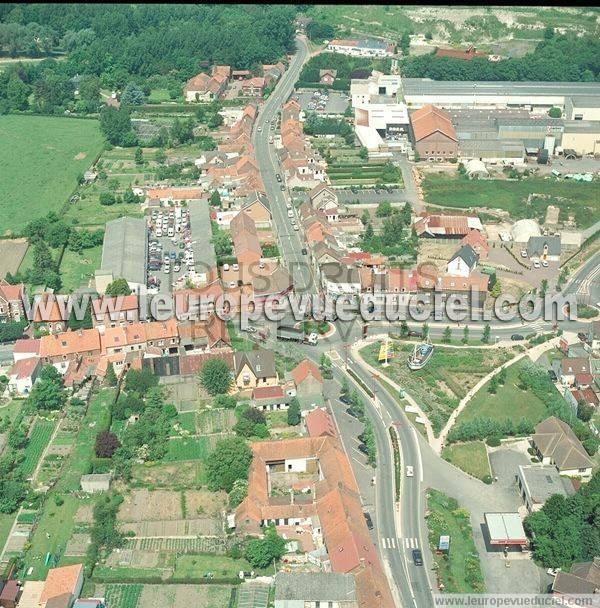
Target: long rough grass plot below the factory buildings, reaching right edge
[(577, 198)]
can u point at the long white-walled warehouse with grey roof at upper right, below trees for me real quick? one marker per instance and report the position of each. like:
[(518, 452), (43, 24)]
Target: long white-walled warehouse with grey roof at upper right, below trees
[(485, 94)]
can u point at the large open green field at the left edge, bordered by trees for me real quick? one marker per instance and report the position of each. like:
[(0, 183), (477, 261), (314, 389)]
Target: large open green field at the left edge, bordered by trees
[(40, 159)]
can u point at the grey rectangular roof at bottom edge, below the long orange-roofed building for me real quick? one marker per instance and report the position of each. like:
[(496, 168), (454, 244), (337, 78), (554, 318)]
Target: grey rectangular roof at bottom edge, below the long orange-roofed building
[(315, 586)]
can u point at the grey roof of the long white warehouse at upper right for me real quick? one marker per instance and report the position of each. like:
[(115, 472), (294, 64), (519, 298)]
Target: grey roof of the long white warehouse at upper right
[(426, 86)]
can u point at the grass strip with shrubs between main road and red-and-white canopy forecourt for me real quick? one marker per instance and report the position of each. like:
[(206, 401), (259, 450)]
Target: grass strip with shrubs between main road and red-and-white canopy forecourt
[(460, 571)]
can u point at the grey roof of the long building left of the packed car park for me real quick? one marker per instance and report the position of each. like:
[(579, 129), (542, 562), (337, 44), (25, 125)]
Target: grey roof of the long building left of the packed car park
[(125, 248)]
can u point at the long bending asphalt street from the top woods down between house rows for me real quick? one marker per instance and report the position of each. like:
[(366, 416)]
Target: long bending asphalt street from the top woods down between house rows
[(290, 241)]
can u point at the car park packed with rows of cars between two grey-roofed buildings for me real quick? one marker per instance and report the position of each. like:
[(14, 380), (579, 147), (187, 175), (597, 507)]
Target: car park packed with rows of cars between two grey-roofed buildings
[(170, 255)]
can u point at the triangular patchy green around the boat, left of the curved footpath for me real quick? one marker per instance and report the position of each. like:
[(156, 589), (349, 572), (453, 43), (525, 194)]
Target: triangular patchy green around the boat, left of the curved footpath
[(444, 381)]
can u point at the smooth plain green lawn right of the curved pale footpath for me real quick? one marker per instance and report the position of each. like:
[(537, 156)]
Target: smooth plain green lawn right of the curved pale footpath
[(509, 402)]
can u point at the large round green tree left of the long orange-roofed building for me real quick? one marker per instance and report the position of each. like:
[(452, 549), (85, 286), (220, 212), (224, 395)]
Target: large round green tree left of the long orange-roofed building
[(228, 462)]
